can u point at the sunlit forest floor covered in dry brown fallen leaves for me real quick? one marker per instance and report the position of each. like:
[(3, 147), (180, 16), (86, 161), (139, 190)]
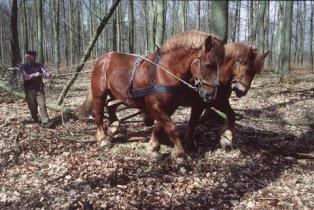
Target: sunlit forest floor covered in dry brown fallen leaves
[(63, 168)]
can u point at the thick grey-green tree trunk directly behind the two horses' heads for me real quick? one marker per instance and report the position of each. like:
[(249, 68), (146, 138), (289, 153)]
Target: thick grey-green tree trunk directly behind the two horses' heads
[(219, 18)]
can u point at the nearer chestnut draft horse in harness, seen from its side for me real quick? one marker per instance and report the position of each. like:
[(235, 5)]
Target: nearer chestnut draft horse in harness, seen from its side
[(189, 56)]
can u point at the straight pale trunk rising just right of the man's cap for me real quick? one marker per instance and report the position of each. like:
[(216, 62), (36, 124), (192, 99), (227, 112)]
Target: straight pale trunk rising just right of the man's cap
[(40, 32)]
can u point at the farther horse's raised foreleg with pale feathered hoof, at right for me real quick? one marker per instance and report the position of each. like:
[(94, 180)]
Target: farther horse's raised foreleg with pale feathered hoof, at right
[(227, 131)]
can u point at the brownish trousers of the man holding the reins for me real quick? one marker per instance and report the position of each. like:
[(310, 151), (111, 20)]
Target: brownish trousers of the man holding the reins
[(35, 98)]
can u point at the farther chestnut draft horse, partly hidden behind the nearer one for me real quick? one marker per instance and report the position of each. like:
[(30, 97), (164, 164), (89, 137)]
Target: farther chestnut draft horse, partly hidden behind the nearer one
[(242, 62)]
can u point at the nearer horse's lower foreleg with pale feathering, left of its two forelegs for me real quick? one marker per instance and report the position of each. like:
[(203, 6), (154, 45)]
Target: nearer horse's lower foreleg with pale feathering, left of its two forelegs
[(153, 146)]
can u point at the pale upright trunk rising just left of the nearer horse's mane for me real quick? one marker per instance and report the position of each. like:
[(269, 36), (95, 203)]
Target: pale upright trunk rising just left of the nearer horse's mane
[(160, 22)]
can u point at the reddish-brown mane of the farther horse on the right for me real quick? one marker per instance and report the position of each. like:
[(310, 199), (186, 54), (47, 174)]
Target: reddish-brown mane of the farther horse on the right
[(242, 51)]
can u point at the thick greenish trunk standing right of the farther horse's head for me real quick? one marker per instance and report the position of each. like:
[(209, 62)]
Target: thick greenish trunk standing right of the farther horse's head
[(286, 54)]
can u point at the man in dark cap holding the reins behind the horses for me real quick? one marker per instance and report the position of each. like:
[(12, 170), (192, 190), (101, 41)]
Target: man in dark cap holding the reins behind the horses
[(32, 75)]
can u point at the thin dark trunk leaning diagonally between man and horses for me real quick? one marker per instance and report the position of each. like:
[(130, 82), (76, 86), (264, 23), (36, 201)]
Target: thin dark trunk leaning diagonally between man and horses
[(88, 50)]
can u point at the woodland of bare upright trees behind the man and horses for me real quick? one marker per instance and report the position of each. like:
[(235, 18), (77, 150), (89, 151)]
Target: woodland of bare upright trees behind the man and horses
[(60, 30)]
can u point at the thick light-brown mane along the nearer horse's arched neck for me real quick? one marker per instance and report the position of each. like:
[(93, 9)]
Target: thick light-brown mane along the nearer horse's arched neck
[(184, 40)]
